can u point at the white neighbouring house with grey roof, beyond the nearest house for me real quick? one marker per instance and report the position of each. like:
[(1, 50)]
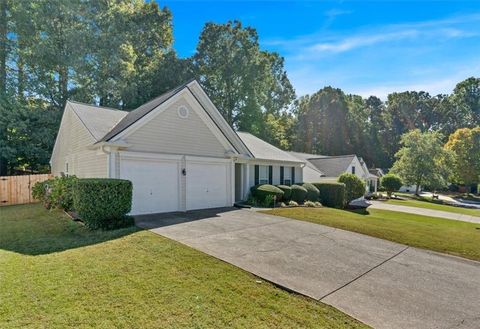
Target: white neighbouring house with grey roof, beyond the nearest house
[(322, 167)]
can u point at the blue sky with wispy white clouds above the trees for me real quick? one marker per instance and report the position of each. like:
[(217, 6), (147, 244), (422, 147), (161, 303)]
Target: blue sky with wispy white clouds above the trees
[(366, 48)]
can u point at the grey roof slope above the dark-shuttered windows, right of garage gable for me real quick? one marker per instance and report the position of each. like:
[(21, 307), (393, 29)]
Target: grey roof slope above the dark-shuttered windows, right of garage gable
[(264, 151)]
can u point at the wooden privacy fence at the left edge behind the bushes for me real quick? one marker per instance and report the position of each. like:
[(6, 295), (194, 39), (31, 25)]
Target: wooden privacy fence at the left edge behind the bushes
[(18, 189)]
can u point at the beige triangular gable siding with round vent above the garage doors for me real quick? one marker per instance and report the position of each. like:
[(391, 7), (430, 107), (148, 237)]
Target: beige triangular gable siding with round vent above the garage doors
[(169, 133)]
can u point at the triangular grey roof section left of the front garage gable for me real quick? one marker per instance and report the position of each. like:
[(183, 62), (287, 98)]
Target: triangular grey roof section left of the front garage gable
[(98, 120)]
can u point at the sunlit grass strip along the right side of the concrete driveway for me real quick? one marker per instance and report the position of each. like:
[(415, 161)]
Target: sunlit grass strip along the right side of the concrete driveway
[(449, 236)]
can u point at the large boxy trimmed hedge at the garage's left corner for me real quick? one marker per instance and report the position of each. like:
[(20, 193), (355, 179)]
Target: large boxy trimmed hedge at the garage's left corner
[(103, 202)]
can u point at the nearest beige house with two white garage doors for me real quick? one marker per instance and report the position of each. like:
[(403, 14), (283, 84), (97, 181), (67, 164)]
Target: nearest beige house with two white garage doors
[(177, 150)]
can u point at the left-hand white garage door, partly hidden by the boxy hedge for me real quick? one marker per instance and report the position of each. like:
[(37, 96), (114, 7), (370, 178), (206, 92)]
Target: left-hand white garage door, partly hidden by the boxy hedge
[(155, 184)]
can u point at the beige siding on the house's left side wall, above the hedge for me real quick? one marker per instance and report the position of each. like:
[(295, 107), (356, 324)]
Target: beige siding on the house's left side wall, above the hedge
[(71, 146)]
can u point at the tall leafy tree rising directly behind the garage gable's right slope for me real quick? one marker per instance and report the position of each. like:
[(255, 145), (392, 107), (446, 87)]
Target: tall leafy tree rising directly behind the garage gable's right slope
[(243, 81)]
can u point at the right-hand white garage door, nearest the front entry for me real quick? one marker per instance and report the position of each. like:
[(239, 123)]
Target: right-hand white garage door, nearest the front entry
[(207, 184)]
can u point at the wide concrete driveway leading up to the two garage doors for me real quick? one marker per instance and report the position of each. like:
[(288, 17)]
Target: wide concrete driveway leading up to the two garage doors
[(383, 284)]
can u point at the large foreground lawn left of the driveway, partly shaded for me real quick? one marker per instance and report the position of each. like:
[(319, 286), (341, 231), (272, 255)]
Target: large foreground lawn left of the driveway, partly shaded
[(55, 274)]
